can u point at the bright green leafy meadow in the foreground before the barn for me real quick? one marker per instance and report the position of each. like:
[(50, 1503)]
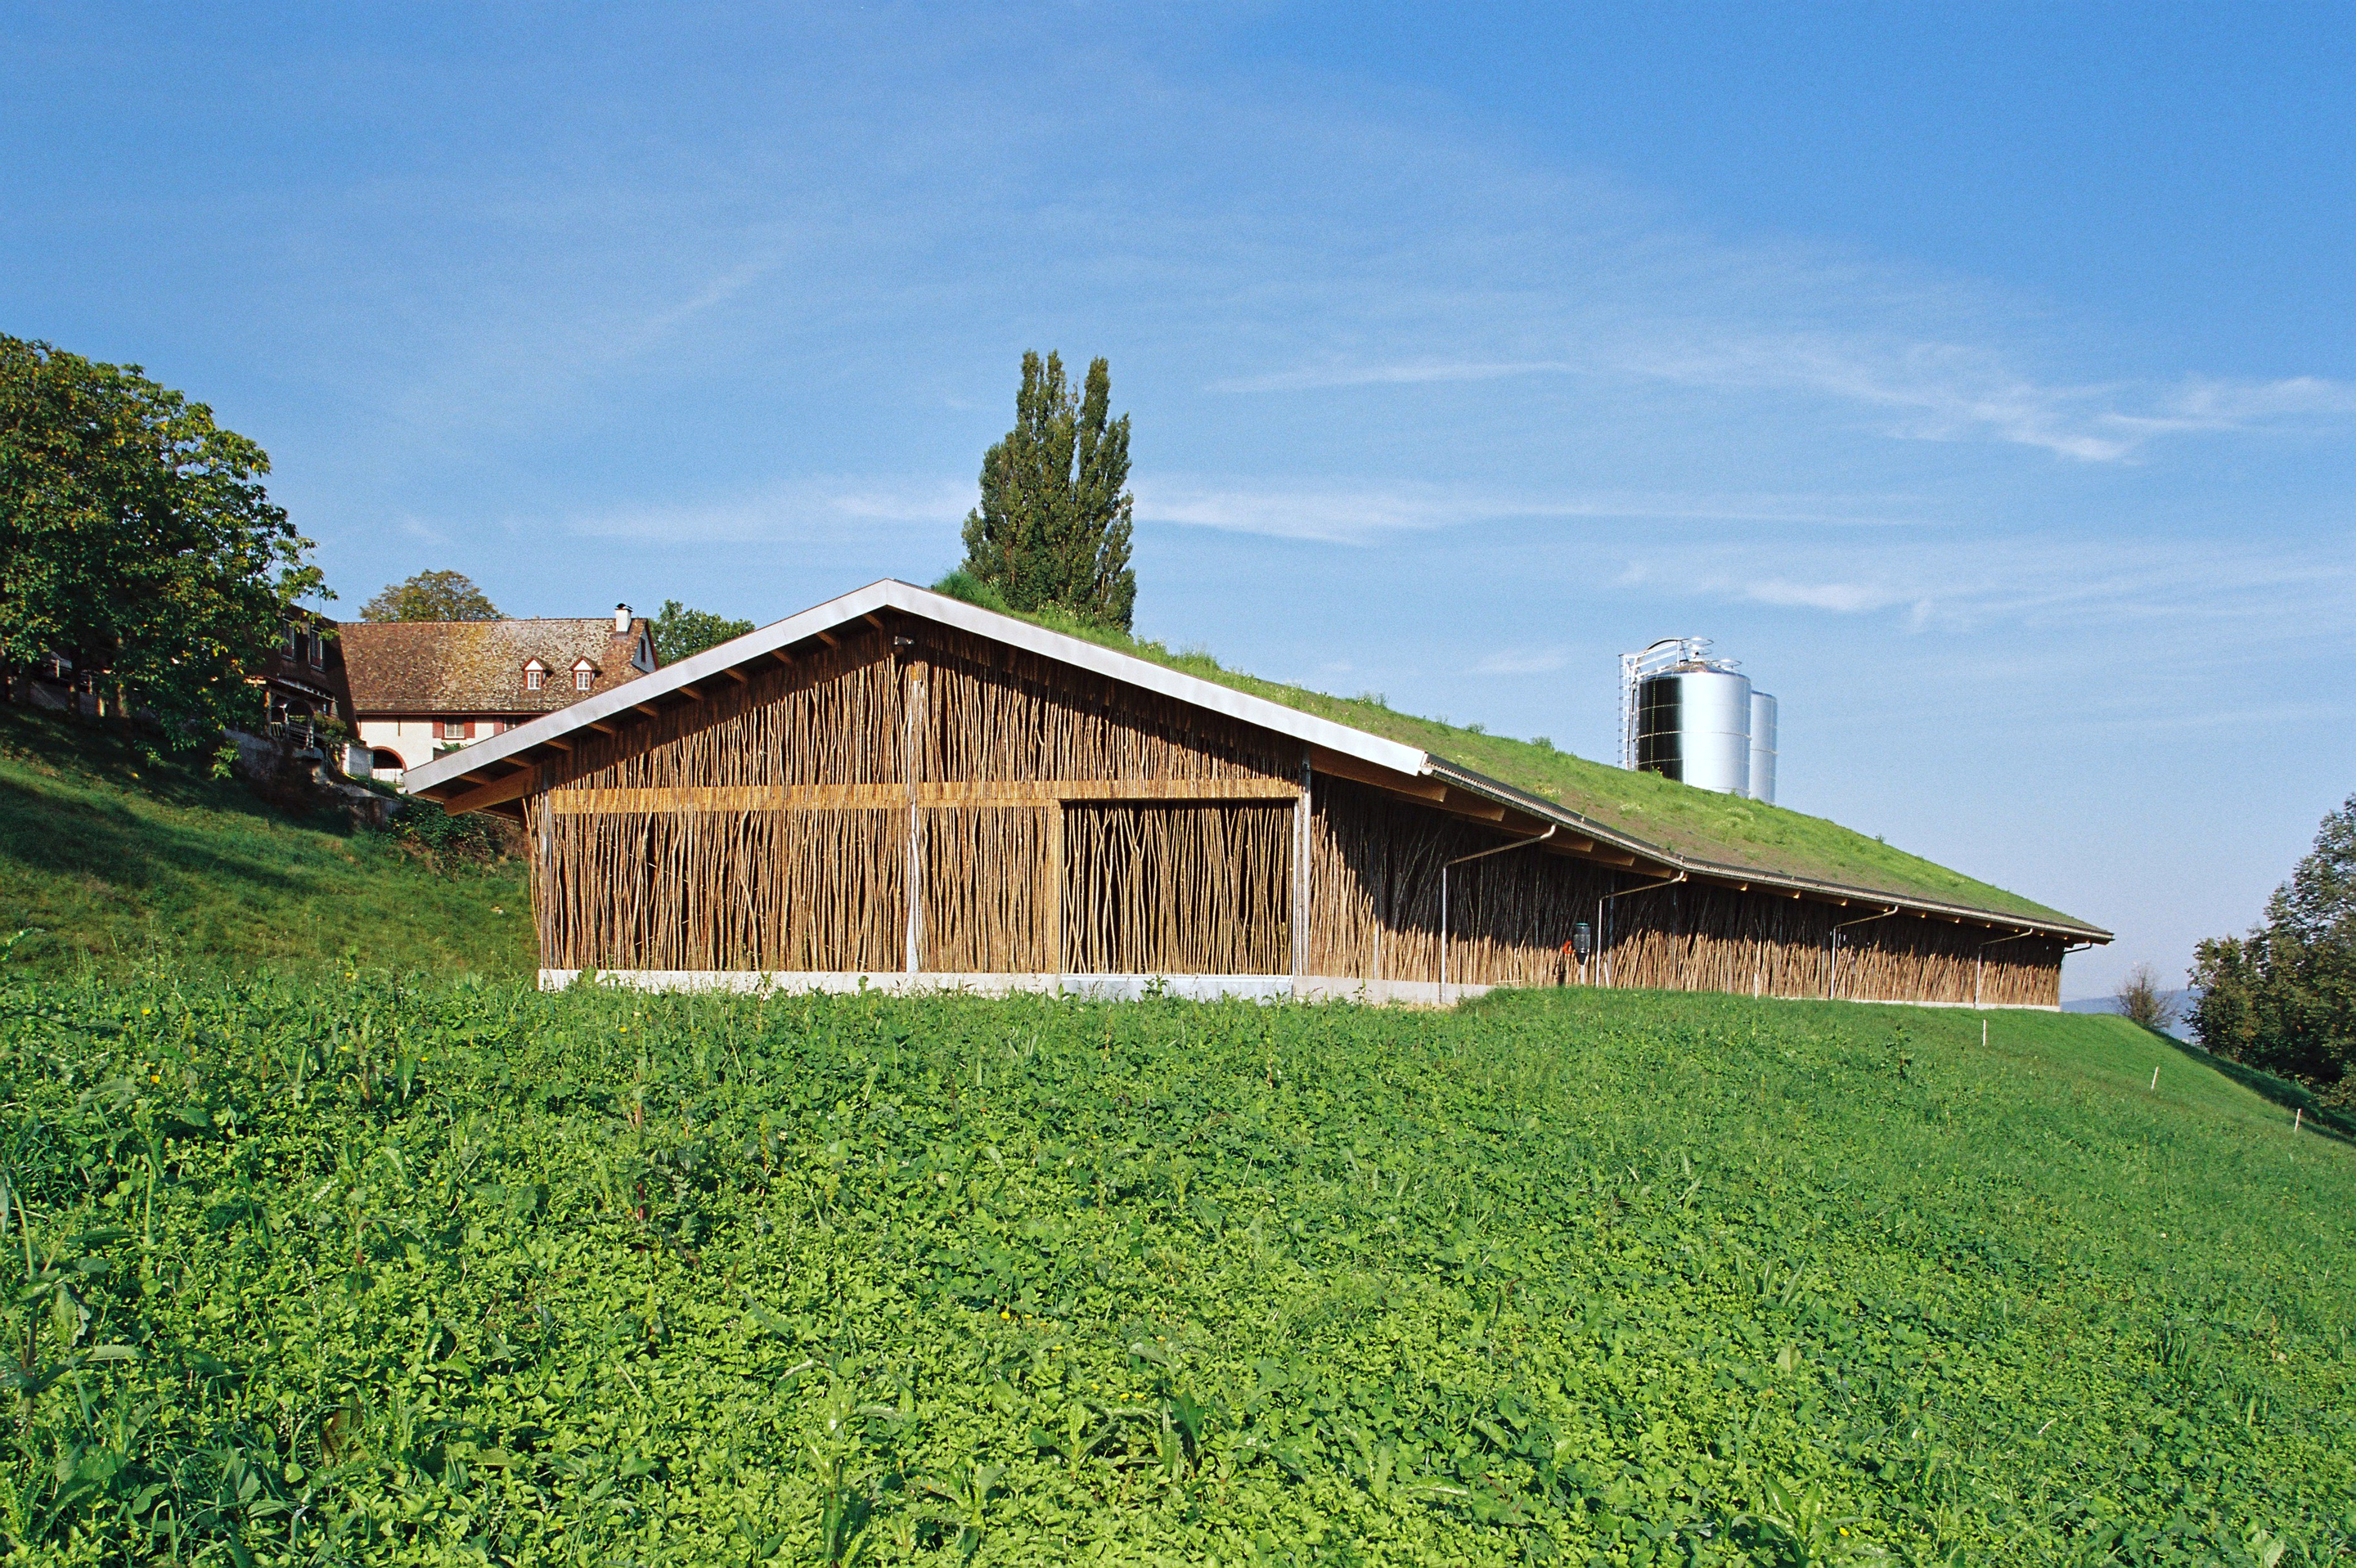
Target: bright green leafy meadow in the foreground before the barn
[(371, 1273)]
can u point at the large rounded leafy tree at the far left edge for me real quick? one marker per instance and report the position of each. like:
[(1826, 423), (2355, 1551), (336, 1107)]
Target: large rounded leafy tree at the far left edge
[(138, 540)]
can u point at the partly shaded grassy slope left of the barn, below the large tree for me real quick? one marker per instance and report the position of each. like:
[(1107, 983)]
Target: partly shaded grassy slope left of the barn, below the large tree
[(107, 856)]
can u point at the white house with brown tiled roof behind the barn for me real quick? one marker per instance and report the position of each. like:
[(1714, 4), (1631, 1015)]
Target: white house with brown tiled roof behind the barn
[(421, 689)]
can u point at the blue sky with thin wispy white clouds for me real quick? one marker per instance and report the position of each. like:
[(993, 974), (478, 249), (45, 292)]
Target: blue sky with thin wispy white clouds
[(1983, 378)]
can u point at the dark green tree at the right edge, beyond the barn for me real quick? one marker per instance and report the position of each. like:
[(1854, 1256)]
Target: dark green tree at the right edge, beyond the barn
[(2284, 997)]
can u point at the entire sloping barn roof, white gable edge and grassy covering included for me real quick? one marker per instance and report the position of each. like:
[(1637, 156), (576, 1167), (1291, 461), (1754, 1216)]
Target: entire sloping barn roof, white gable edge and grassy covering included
[(1646, 823)]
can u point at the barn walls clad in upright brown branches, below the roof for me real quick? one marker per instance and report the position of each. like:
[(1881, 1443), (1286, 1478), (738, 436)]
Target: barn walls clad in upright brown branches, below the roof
[(1073, 825)]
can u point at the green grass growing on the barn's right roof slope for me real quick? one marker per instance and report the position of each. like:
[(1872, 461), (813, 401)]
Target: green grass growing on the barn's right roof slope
[(1679, 818)]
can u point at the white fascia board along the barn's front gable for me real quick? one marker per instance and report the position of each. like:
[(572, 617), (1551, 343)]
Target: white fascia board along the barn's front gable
[(946, 611)]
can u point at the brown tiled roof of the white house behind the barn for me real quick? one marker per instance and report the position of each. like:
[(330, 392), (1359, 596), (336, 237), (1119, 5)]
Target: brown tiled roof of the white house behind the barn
[(477, 667)]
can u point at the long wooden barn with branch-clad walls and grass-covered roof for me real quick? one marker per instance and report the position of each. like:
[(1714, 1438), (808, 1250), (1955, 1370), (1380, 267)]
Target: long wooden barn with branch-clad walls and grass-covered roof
[(904, 790)]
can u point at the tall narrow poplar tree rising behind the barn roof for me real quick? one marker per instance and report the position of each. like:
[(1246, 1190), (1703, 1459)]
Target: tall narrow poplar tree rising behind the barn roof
[(1057, 510)]
